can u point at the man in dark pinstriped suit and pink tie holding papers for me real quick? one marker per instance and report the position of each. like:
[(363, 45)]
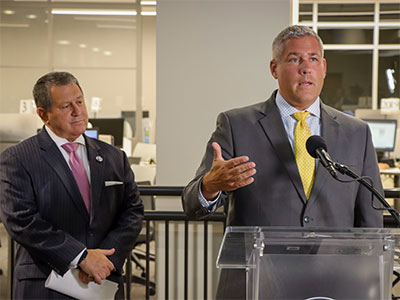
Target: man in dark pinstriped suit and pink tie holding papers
[(57, 223)]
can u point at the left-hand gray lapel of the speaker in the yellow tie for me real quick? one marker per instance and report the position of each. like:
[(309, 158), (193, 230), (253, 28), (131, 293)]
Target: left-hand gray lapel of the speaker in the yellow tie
[(275, 131)]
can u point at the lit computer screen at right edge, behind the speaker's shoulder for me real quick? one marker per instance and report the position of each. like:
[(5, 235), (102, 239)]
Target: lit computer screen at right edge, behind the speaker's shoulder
[(383, 134)]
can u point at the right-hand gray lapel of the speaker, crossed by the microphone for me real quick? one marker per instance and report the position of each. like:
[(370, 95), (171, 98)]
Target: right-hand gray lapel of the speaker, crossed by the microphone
[(330, 133)]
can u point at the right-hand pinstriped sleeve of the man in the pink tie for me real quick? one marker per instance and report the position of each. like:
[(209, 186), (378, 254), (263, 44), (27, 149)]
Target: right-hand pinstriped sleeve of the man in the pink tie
[(128, 222)]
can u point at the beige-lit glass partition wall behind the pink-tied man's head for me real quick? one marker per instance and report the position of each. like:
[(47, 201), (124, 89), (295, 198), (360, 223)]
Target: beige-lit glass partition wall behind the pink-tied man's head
[(105, 44)]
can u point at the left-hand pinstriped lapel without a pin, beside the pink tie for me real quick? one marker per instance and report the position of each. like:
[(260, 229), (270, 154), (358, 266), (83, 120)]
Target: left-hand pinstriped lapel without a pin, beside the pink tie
[(57, 162)]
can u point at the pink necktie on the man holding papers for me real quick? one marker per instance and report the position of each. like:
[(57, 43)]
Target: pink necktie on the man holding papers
[(79, 172)]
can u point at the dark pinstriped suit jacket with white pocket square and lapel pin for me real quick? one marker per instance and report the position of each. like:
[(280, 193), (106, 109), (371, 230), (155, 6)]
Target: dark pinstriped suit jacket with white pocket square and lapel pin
[(43, 210)]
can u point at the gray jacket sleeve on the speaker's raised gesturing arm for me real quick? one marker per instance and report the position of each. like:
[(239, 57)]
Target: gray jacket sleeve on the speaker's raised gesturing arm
[(190, 200)]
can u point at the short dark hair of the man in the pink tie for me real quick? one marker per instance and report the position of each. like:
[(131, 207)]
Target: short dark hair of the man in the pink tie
[(41, 90)]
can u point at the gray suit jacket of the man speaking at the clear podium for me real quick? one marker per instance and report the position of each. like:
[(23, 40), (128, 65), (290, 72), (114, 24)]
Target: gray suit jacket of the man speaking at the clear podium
[(276, 197)]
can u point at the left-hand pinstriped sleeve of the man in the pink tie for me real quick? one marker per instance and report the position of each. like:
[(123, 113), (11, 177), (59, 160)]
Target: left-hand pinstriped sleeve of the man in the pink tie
[(19, 213)]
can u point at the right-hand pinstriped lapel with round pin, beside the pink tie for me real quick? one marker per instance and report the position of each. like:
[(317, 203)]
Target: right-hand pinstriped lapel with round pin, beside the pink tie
[(96, 163)]
